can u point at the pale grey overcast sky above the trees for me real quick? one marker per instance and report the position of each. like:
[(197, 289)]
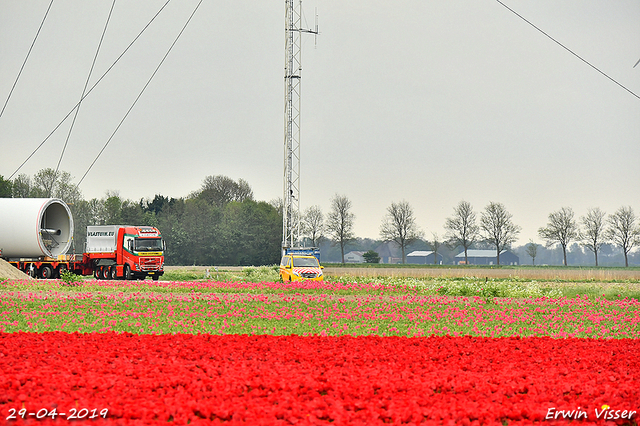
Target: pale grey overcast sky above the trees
[(432, 102)]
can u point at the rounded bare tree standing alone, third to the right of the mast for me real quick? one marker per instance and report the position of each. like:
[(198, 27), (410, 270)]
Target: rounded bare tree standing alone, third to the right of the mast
[(399, 225)]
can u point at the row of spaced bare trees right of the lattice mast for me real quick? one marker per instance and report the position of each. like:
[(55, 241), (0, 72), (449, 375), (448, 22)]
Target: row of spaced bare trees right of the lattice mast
[(494, 226)]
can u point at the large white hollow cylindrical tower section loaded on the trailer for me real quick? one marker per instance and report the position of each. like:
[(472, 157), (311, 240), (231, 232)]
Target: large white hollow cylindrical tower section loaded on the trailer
[(34, 227)]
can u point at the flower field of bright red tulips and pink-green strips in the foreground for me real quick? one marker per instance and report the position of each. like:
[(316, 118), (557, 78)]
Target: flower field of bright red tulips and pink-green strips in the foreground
[(332, 354)]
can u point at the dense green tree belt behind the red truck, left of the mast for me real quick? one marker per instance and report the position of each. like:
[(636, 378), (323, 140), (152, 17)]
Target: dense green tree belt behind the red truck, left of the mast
[(218, 224)]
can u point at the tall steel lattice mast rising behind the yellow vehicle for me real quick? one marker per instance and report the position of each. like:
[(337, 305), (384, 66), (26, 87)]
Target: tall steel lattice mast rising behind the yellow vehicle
[(292, 76)]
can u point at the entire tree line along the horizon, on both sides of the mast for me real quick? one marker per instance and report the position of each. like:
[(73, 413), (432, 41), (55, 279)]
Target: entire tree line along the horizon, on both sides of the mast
[(221, 223)]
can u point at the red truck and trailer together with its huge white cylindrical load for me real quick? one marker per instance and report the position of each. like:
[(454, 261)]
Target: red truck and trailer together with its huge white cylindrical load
[(36, 234)]
